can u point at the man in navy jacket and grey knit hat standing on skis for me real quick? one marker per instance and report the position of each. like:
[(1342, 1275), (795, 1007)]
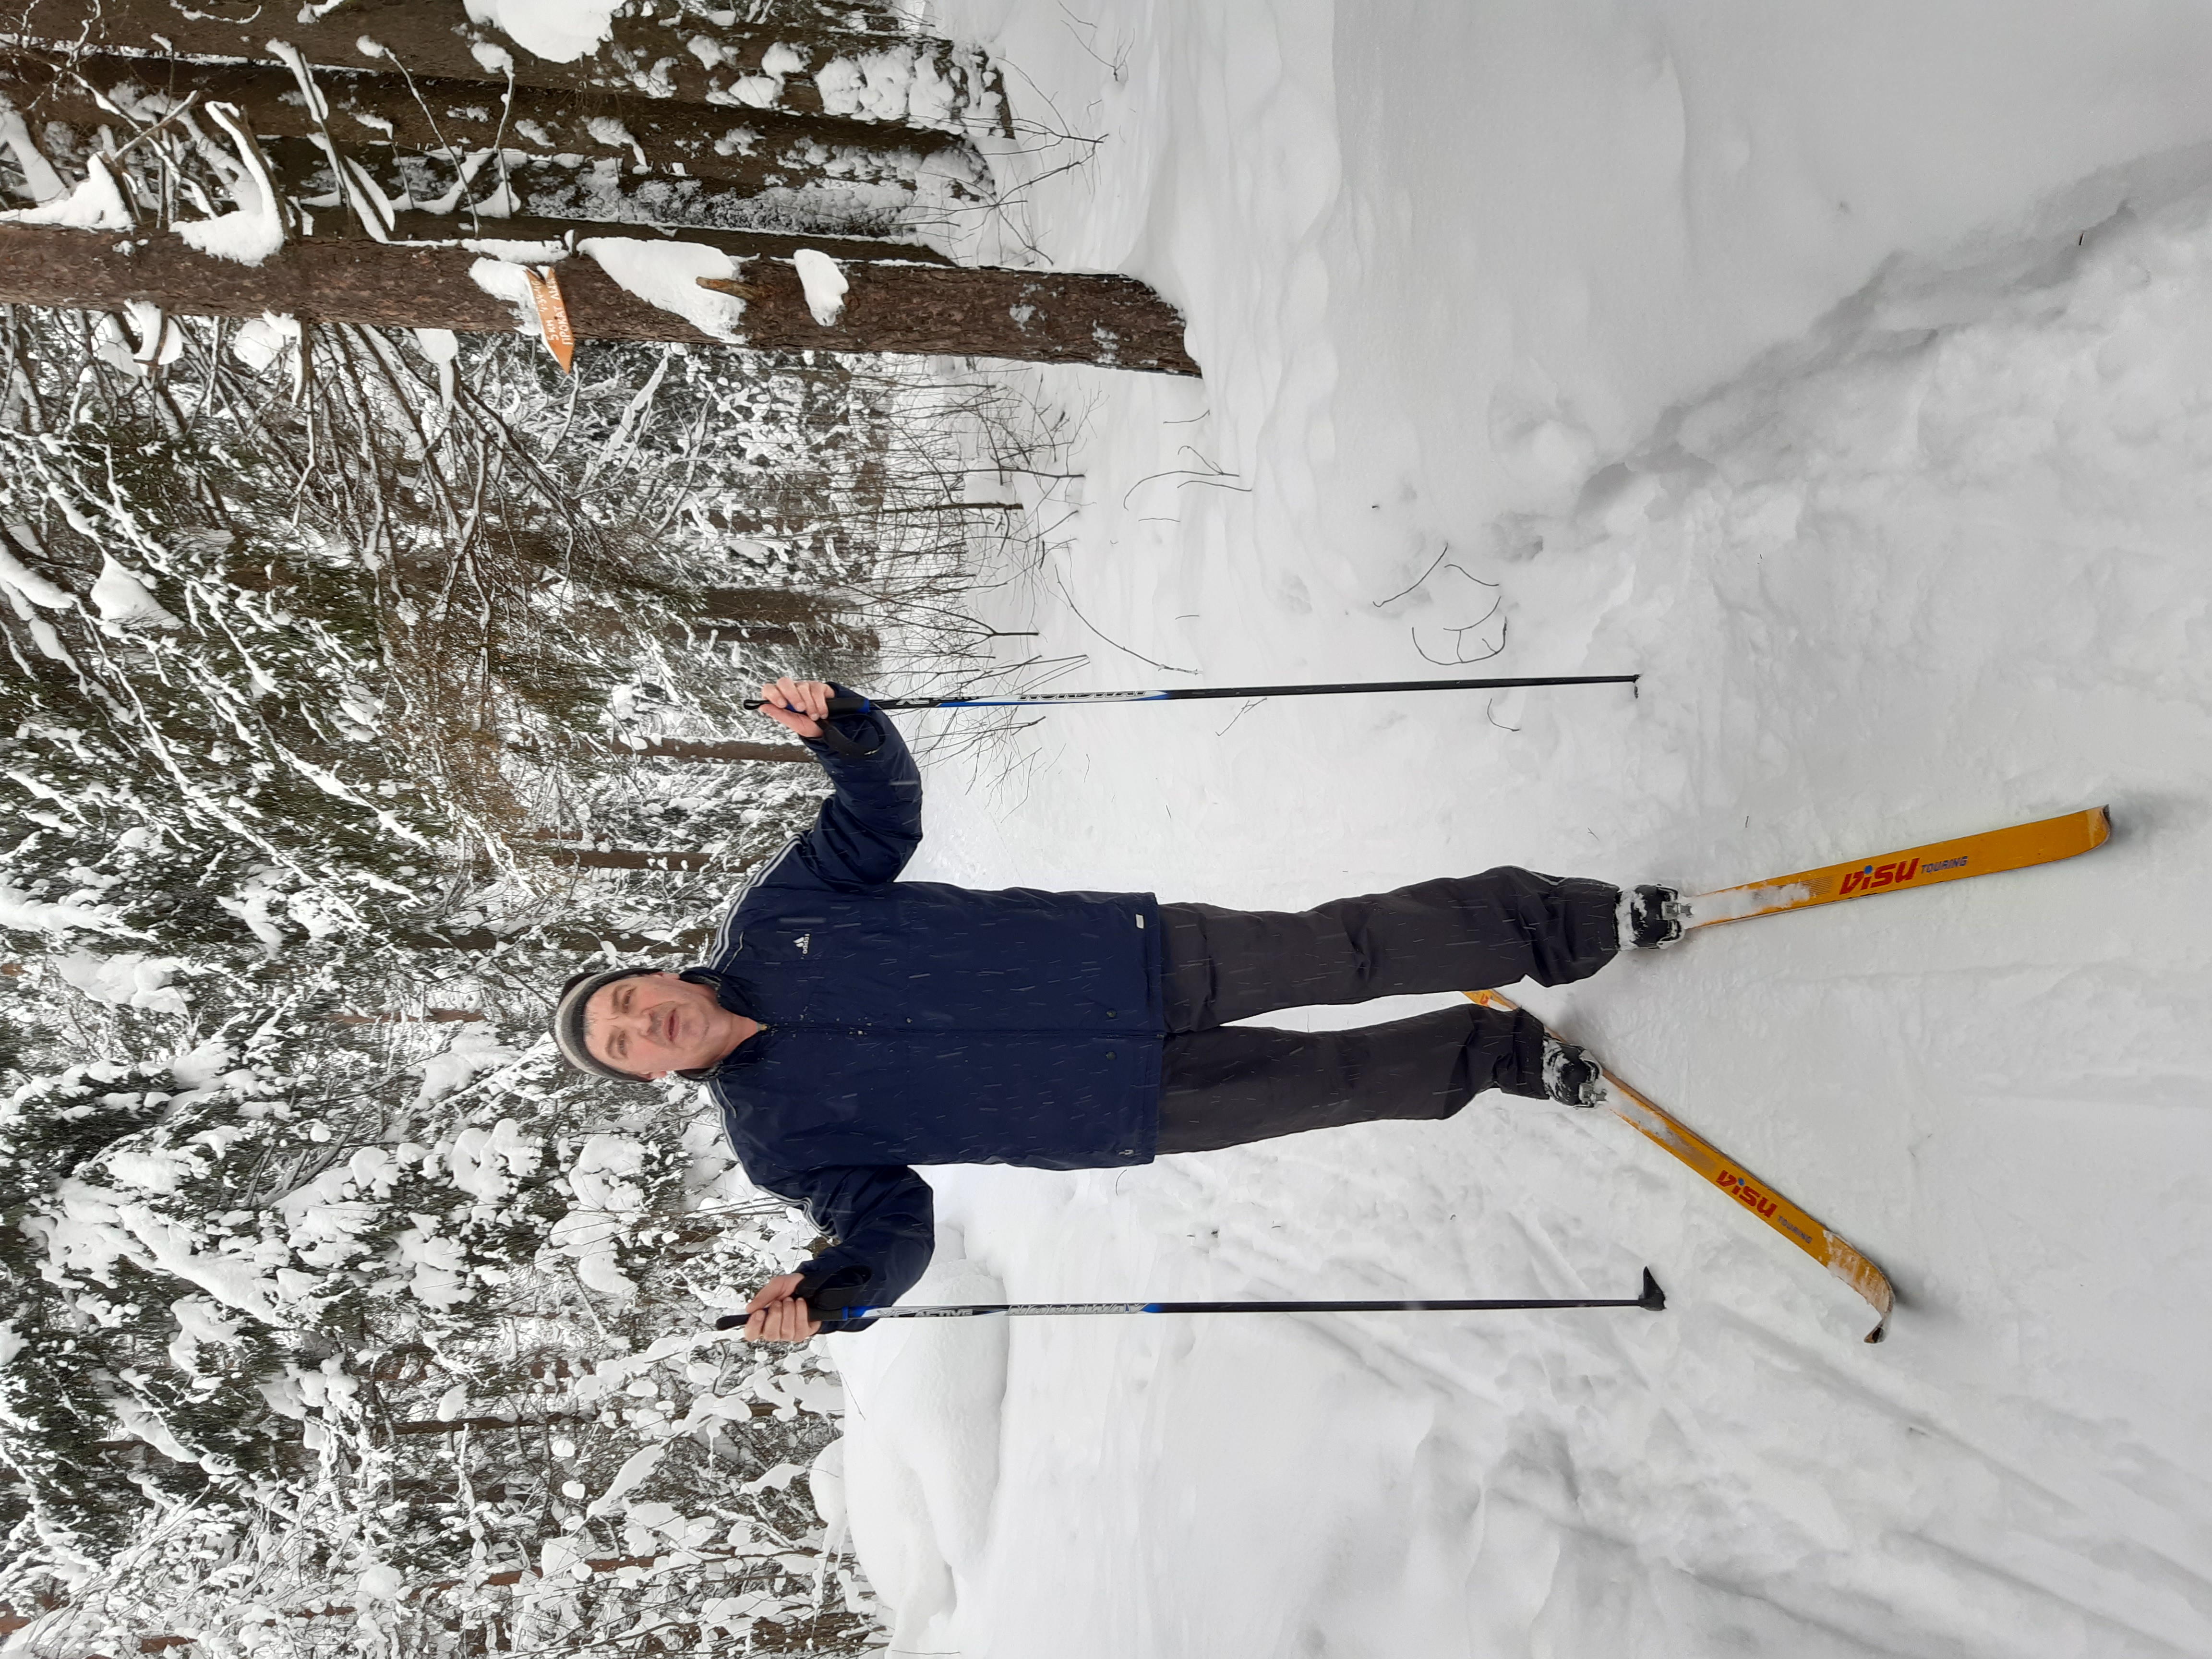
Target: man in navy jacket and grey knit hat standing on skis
[(853, 1025)]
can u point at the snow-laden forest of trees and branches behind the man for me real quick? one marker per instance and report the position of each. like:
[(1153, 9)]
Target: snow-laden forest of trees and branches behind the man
[(368, 678)]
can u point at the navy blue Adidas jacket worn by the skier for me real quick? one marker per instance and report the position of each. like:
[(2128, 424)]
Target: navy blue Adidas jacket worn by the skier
[(915, 1023)]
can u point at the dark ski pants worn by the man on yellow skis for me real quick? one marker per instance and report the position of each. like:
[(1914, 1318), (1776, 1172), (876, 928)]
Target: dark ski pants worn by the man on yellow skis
[(1233, 1085)]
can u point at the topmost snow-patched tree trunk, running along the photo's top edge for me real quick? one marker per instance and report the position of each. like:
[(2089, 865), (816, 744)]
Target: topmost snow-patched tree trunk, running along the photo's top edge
[(654, 56)]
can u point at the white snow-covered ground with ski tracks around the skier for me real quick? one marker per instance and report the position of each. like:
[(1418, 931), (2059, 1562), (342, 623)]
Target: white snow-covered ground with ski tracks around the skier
[(1846, 373)]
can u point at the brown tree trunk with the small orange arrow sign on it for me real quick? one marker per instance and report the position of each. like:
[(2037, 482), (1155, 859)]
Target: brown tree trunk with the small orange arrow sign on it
[(908, 309)]
